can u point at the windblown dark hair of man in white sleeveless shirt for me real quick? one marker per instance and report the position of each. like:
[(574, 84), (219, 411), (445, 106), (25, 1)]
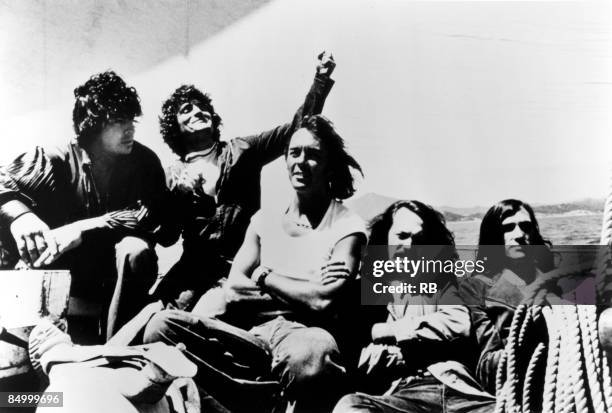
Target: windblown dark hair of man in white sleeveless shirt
[(340, 163)]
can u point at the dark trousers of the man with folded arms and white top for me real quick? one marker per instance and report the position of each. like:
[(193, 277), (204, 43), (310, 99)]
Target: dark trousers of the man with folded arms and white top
[(304, 360)]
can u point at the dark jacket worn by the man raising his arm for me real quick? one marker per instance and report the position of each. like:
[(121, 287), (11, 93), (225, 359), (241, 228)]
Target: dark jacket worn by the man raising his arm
[(216, 227)]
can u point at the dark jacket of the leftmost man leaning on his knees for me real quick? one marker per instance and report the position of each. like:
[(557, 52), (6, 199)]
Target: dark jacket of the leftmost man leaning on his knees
[(57, 185)]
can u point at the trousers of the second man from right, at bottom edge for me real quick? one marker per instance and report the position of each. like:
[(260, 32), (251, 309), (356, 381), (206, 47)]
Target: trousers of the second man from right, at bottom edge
[(416, 395)]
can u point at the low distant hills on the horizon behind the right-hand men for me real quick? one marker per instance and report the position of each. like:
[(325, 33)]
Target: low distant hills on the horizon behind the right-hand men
[(372, 204)]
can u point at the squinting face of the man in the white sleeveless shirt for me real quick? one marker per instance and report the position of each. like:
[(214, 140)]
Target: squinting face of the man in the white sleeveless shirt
[(306, 162)]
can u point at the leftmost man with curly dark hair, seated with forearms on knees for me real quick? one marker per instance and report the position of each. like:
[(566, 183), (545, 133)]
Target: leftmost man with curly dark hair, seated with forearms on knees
[(94, 205)]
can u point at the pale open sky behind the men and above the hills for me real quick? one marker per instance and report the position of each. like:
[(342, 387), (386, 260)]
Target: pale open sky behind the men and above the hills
[(452, 103)]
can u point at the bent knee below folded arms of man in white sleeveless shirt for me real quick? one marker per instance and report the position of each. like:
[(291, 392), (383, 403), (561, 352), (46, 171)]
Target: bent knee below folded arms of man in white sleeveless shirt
[(311, 355)]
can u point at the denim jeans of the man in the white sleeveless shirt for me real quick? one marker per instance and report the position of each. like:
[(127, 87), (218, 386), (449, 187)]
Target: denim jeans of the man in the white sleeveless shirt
[(304, 360)]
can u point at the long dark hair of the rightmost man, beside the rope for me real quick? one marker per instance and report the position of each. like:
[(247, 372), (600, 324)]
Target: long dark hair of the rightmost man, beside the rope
[(492, 233)]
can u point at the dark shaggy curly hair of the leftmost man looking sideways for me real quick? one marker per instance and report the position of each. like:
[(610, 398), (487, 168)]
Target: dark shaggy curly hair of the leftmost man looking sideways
[(103, 99)]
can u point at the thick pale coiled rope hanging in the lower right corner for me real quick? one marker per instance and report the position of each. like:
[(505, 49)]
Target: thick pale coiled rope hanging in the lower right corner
[(557, 366)]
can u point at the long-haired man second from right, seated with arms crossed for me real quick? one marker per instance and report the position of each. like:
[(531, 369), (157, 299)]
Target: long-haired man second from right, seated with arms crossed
[(424, 343)]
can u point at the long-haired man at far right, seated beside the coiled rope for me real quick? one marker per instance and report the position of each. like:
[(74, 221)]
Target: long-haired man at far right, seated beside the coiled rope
[(512, 268)]
